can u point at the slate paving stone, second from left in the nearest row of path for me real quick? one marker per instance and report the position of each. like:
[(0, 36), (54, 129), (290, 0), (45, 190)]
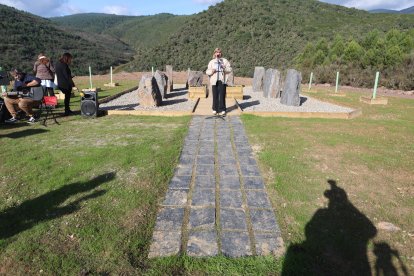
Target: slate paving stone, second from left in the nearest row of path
[(202, 243)]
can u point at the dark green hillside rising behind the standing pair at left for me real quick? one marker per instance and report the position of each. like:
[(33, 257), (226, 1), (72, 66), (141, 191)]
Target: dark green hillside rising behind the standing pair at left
[(24, 36)]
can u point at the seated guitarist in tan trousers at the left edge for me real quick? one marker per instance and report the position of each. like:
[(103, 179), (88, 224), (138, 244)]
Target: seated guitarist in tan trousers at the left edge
[(22, 83)]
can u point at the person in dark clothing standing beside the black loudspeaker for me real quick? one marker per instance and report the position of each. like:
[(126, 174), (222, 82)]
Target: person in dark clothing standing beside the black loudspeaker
[(64, 79)]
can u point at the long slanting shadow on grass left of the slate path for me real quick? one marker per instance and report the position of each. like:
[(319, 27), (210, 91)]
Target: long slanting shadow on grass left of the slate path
[(48, 206)]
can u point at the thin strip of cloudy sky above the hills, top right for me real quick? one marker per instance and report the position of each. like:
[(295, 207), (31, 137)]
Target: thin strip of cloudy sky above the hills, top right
[(373, 4)]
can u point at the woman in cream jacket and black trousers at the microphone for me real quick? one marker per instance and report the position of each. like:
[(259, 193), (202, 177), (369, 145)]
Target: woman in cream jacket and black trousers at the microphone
[(218, 70)]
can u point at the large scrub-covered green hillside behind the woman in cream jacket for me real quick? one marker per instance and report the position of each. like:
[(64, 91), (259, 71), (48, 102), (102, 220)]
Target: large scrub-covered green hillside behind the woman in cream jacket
[(269, 33)]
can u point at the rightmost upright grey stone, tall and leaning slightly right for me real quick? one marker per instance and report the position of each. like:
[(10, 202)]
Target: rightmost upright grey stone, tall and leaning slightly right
[(291, 90)]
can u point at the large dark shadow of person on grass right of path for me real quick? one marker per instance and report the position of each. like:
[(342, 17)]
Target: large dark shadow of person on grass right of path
[(336, 240)]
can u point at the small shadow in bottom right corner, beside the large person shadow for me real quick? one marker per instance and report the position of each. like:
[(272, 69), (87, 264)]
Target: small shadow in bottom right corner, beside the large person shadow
[(383, 264)]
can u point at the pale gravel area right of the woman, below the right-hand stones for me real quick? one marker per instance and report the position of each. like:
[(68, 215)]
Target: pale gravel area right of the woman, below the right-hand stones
[(254, 101)]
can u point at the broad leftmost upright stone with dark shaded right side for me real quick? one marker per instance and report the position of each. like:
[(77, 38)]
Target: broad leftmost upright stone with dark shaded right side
[(148, 92)]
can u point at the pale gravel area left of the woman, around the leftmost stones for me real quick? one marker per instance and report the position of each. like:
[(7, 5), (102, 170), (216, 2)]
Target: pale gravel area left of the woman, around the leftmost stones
[(176, 101)]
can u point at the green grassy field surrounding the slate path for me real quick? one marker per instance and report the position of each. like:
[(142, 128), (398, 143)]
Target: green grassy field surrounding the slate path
[(81, 197)]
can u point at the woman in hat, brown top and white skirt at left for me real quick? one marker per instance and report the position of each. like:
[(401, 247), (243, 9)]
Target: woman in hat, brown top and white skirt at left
[(44, 70)]
